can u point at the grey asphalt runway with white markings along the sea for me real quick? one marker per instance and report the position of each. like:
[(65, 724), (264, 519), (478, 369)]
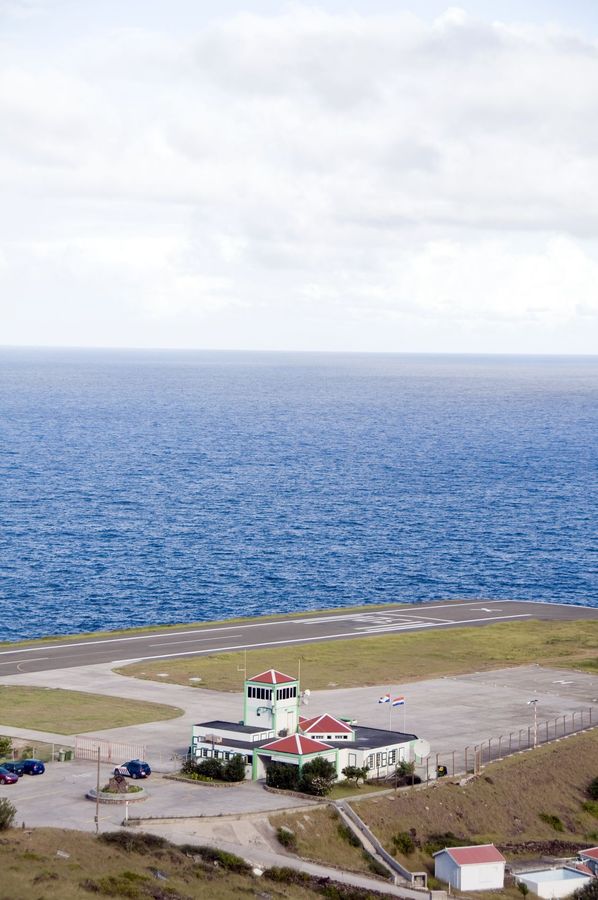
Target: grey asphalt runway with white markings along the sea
[(206, 639)]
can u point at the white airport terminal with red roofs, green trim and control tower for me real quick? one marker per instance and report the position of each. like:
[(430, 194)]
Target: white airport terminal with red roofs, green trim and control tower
[(272, 731)]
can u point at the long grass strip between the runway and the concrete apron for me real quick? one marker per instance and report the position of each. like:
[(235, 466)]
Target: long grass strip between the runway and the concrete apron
[(402, 657)]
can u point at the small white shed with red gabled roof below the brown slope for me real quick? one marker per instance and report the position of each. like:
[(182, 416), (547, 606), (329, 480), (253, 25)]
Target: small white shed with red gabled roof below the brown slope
[(478, 868)]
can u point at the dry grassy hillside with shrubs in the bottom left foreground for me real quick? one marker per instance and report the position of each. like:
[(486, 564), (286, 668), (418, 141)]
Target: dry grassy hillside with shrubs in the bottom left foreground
[(54, 864)]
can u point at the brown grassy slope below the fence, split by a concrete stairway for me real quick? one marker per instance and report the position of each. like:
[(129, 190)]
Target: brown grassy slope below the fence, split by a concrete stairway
[(503, 805)]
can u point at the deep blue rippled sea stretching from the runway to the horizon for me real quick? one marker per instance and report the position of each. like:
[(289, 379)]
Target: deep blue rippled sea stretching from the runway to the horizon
[(153, 487)]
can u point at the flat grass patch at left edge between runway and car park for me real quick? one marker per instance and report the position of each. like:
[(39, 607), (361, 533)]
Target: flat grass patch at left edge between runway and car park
[(72, 712)]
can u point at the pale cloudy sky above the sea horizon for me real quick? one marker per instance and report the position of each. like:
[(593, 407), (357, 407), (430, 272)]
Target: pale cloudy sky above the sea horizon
[(348, 176)]
